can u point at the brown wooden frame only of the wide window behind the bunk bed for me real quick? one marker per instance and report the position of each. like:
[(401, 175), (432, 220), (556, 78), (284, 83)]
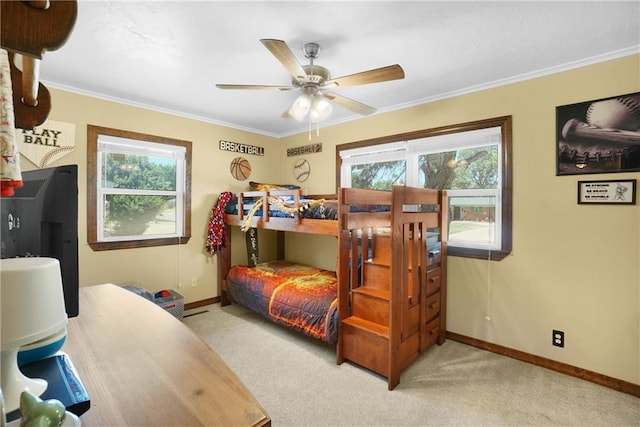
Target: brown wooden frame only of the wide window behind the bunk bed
[(505, 163)]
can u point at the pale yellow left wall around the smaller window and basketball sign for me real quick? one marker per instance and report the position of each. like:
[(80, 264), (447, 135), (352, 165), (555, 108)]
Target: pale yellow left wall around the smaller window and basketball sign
[(158, 267)]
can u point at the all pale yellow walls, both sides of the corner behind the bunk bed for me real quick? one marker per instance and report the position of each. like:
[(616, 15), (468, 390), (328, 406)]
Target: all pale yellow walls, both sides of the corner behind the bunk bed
[(573, 267)]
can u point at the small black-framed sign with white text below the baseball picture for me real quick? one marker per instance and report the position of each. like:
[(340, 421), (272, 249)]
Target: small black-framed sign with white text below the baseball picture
[(621, 192)]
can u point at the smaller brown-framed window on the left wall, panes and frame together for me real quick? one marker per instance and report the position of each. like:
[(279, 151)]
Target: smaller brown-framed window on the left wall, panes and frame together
[(138, 190)]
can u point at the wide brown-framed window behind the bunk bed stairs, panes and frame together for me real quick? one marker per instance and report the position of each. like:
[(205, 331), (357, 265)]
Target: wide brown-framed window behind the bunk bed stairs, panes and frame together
[(471, 161)]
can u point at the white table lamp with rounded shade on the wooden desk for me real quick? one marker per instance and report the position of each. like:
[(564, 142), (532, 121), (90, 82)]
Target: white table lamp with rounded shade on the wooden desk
[(32, 308)]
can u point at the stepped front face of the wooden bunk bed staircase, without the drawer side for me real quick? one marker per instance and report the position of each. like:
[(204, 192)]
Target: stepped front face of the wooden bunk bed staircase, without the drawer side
[(365, 282)]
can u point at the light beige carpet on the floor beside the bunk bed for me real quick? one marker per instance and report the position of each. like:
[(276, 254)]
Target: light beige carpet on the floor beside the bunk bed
[(298, 383)]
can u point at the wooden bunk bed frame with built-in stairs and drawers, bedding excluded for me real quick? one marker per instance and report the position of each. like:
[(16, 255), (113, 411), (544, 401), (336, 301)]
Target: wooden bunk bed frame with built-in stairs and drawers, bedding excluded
[(390, 275)]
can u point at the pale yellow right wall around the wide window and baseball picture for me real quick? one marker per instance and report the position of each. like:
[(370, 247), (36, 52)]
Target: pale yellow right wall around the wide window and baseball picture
[(573, 267)]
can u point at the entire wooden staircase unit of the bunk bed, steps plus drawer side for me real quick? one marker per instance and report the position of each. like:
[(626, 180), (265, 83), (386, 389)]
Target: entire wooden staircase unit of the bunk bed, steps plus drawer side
[(393, 280)]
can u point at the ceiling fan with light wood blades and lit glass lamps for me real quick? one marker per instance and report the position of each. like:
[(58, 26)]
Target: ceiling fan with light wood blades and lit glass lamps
[(314, 80)]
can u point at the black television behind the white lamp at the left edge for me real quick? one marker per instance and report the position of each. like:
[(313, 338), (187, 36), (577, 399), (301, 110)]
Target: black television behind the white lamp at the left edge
[(41, 219)]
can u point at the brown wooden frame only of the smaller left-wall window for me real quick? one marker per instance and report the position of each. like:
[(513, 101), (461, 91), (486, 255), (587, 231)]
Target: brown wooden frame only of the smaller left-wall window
[(93, 136)]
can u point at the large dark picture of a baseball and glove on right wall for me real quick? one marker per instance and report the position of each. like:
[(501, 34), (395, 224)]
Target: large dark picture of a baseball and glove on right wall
[(599, 136)]
